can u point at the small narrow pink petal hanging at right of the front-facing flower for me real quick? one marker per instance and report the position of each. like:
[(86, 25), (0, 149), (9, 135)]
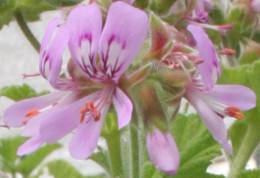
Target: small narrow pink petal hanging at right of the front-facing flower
[(123, 106)]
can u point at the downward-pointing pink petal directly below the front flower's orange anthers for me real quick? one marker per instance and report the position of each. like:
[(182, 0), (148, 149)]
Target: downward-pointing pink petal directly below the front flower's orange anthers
[(86, 137)]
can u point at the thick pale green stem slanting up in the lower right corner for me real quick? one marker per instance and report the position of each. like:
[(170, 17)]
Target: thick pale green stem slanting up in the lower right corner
[(246, 149)]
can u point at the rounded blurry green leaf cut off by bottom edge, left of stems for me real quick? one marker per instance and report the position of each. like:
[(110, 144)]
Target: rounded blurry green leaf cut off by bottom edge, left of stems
[(62, 169)]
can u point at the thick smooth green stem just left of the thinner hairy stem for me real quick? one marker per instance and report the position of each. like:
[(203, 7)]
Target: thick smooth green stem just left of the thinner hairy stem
[(113, 143)]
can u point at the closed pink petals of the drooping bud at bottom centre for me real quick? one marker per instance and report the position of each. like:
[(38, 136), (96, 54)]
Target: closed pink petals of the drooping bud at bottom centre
[(163, 151)]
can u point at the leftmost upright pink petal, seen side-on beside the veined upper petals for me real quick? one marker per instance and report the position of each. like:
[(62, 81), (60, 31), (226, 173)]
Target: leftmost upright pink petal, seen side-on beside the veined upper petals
[(52, 47)]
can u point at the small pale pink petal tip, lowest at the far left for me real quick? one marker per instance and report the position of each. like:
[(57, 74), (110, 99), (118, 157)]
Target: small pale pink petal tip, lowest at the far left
[(30, 146)]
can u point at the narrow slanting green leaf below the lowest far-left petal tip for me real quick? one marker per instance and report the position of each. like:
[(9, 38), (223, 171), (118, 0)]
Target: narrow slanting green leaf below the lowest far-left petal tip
[(30, 162)]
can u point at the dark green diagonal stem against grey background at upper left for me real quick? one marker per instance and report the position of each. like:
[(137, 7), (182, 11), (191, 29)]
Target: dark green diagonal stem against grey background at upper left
[(26, 30)]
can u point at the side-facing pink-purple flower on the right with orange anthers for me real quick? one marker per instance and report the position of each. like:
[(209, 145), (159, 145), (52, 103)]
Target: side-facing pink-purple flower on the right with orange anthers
[(213, 102)]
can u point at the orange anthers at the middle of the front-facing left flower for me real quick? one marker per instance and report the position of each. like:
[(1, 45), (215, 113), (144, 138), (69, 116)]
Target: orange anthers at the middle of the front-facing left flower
[(89, 108)]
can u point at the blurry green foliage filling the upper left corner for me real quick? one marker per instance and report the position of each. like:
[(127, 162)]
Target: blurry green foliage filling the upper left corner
[(30, 9)]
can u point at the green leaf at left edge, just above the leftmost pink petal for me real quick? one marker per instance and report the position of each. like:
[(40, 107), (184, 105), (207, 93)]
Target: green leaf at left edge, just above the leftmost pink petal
[(19, 92)]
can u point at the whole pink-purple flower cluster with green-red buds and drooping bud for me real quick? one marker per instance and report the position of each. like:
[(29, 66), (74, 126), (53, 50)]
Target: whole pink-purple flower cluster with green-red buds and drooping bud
[(97, 76)]
